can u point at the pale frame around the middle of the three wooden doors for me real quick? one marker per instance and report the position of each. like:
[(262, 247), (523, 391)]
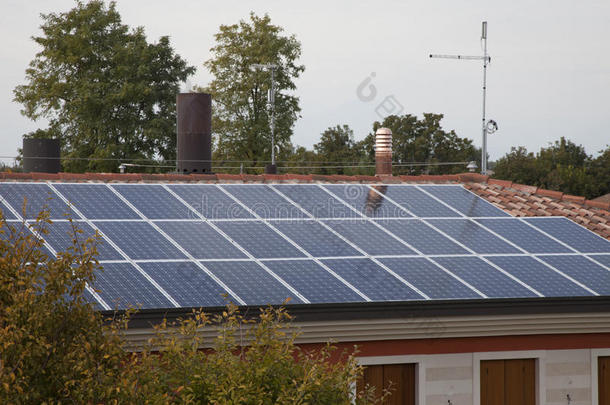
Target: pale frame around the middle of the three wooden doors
[(538, 355)]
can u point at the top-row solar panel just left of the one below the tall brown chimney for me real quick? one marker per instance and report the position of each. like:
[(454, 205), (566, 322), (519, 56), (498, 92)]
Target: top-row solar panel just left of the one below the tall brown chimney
[(154, 201)]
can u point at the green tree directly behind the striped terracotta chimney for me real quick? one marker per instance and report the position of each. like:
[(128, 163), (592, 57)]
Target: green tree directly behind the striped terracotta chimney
[(423, 141)]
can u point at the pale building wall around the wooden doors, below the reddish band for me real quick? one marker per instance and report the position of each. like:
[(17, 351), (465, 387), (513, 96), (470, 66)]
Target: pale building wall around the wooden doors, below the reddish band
[(455, 376)]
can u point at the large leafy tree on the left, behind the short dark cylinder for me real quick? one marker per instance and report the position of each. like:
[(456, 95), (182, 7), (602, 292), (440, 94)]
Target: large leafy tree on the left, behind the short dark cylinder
[(106, 92)]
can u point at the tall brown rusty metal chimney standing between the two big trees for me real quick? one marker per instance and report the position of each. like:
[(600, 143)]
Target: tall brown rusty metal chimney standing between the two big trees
[(194, 127)]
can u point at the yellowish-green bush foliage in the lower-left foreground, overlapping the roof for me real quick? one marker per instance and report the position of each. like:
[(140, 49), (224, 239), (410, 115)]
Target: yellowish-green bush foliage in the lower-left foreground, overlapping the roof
[(56, 348)]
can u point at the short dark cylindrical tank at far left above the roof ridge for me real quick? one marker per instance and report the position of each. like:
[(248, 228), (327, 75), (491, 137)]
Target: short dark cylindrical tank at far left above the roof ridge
[(41, 155)]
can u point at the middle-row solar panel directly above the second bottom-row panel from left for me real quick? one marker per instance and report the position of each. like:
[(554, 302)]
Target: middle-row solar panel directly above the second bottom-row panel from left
[(139, 240)]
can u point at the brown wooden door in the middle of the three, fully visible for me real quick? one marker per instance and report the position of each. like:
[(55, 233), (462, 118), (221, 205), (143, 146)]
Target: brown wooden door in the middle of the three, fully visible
[(508, 382)]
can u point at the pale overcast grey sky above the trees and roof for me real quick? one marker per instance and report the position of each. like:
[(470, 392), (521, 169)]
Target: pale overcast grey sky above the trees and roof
[(549, 74)]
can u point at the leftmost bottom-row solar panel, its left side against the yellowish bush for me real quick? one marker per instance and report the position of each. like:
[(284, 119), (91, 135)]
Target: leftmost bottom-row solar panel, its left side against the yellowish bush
[(122, 286)]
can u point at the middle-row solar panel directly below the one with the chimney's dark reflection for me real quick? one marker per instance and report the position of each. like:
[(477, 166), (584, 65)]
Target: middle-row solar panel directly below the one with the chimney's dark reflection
[(422, 237)]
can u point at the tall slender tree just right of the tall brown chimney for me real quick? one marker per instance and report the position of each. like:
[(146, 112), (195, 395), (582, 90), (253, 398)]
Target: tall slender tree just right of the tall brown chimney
[(241, 114)]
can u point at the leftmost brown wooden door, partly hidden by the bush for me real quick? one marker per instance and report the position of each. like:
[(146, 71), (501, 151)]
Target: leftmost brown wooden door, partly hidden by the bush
[(401, 377)]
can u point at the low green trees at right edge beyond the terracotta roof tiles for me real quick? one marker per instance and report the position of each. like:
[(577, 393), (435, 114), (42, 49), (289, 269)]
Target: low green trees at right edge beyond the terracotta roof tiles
[(562, 166)]
